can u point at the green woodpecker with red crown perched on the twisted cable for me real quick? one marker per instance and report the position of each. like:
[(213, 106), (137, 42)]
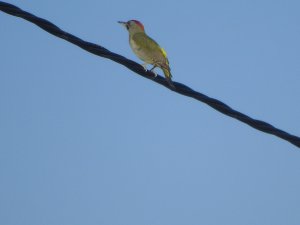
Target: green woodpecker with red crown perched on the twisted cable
[(147, 49)]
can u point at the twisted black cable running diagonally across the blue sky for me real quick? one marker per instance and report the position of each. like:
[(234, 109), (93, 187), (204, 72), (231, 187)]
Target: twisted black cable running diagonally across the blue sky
[(137, 68)]
